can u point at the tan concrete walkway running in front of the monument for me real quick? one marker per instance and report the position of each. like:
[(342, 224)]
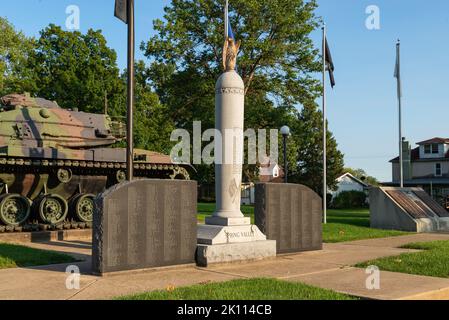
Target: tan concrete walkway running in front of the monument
[(329, 268)]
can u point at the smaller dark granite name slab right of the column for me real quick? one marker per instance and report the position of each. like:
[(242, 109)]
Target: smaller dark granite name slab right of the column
[(291, 214)]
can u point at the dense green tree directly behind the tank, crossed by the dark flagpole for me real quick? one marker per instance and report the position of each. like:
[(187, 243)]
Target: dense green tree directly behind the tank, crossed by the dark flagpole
[(80, 70)]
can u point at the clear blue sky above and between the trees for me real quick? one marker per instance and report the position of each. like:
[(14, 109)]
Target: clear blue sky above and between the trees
[(363, 106)]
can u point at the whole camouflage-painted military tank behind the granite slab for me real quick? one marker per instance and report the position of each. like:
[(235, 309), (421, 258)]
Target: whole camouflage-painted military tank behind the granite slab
[(53, 162)]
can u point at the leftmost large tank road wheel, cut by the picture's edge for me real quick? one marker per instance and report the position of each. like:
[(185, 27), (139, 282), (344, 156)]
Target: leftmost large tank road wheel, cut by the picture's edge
[(14, 209)]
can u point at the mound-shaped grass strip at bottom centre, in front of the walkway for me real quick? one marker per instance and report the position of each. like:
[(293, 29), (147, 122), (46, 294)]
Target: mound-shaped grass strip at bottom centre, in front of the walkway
[(252, 289)]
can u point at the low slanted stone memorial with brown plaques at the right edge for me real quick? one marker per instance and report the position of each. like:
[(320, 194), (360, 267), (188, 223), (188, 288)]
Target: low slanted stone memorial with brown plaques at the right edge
[(406, 209)]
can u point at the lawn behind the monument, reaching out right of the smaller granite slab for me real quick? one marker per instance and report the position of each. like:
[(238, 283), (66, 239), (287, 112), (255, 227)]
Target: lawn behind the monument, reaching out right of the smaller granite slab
[(343, 225)]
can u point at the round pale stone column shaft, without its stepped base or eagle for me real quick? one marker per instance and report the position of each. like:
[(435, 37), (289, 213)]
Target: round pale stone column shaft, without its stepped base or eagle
[(229, 121)]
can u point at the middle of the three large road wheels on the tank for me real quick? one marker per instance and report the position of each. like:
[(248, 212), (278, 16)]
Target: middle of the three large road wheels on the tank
[(53, 209)]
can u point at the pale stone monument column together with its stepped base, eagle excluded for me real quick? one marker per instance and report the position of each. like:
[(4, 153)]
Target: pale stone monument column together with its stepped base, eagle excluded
[(228, 235)]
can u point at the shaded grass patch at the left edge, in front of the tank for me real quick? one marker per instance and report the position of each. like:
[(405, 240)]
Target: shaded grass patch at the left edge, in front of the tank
[(13, 256)]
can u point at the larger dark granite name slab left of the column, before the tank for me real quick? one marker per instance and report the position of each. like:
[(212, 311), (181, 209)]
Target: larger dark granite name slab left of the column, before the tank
[(145, 224)]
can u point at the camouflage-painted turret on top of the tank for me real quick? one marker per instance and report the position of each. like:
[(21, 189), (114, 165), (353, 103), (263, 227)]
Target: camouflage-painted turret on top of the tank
[(39, 123)]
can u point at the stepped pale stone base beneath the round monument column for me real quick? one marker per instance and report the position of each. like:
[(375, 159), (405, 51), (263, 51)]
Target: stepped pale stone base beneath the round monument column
[(225, 244)]
